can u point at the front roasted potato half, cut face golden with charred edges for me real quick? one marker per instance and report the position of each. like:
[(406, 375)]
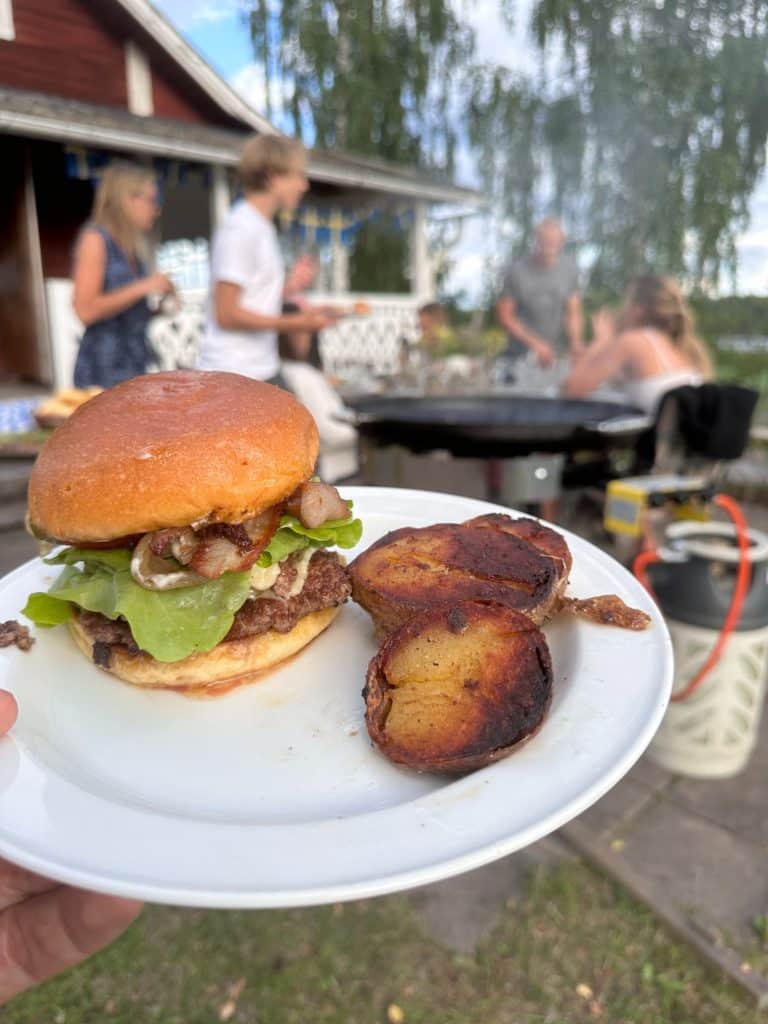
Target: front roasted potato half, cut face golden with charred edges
[(458, 688)]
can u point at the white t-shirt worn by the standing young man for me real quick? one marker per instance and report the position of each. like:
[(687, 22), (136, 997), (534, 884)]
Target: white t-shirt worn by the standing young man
[(245, 252)]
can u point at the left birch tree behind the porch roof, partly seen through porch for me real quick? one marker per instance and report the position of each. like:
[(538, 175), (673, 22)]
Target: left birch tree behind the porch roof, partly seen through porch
[(374, 79)]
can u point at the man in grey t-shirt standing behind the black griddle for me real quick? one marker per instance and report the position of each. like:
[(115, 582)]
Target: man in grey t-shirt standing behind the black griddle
[(540, 307)]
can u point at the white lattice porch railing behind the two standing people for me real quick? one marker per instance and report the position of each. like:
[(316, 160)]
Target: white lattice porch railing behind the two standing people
[(372, 343)]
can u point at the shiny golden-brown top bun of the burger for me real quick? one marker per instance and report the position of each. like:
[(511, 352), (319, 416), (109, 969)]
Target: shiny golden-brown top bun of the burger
[(167, 450)]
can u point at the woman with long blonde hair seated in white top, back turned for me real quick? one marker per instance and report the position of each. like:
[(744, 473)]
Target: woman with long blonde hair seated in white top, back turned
[(651, 351)]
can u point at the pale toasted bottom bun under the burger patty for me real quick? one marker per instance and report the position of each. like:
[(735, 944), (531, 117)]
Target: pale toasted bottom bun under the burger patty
[(229, 665)]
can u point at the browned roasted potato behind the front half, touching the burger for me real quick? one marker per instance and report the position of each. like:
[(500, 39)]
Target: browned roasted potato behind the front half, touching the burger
[(518, 563)]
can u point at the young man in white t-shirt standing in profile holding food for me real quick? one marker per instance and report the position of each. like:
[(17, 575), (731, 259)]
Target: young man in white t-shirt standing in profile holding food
[(248, 280)]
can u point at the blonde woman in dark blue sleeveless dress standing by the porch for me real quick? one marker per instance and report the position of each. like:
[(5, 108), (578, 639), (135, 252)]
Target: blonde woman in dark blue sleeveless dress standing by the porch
[(111, 280)]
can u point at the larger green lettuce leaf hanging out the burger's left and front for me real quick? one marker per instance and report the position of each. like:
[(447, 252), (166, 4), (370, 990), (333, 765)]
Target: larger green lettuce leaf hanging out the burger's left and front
[(169, 625)]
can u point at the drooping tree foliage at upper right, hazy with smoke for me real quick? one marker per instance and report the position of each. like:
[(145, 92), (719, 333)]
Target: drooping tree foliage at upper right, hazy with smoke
[(650, 146)]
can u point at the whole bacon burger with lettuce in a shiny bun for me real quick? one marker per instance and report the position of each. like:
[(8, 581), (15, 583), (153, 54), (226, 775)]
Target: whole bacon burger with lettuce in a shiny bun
[(197, 544)]
